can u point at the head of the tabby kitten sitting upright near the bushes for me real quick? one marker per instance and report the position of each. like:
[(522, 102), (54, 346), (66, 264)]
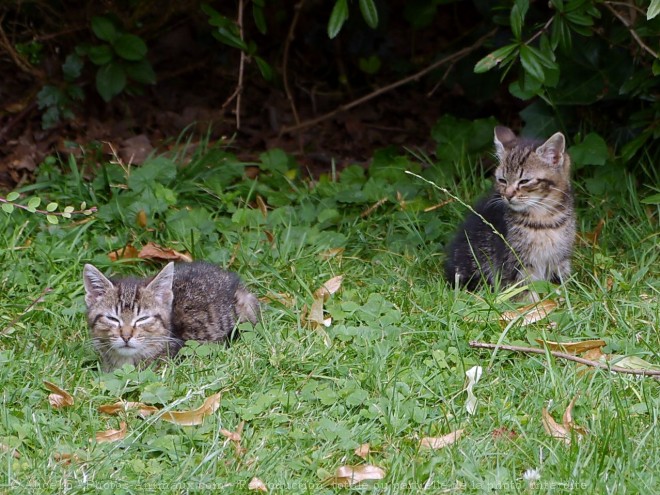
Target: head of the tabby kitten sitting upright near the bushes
[(532, 176)]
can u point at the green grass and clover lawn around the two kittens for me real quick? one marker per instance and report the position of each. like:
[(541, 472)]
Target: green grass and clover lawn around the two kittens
[(394, 371)]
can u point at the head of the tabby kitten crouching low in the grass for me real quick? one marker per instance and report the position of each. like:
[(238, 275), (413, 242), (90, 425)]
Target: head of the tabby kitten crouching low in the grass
[(129, 319)]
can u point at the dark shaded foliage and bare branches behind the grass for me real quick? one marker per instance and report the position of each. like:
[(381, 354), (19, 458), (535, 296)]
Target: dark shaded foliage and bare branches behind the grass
[(90, 72)]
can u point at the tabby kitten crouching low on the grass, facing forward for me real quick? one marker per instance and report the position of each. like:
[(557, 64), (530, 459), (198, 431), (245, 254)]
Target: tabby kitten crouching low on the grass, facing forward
[(134, 321)]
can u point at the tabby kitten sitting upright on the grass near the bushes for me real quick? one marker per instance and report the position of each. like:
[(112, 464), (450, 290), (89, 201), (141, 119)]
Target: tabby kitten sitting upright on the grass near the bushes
[(531, 206)]
